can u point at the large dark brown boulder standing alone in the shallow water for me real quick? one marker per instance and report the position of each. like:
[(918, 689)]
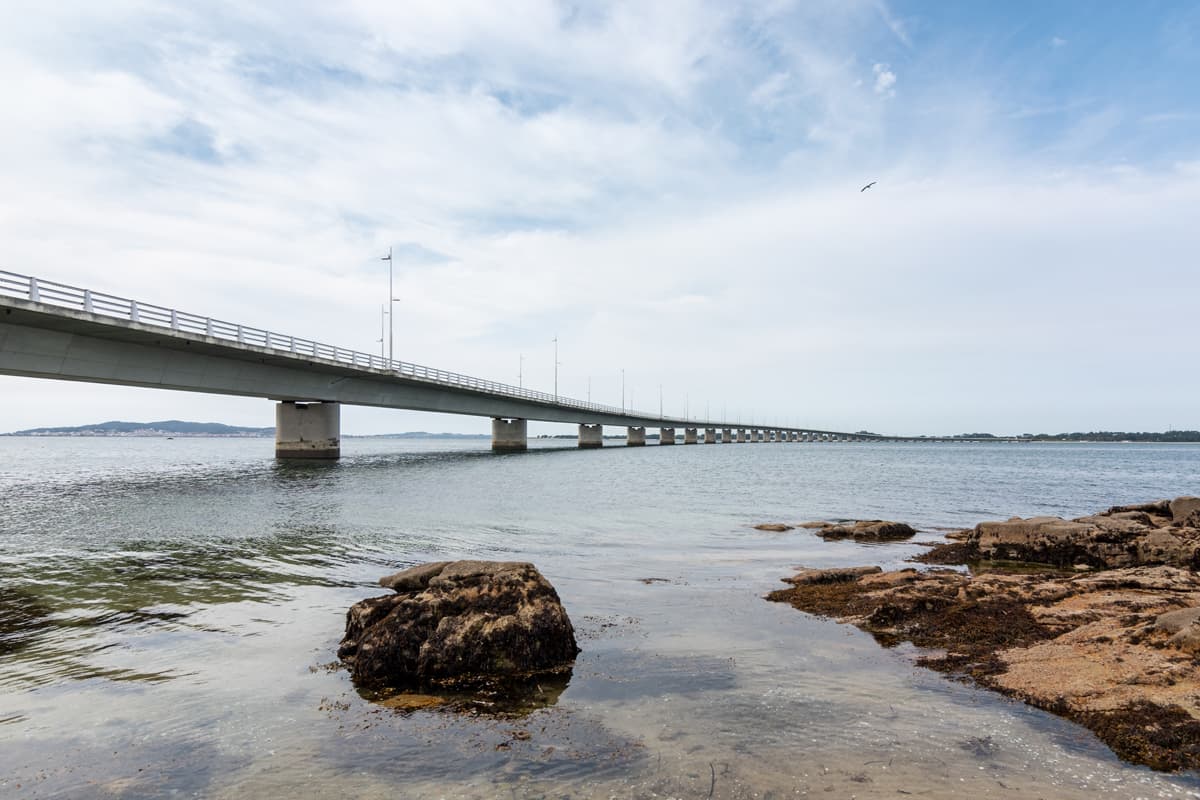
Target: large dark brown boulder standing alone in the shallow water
[(459, 624)]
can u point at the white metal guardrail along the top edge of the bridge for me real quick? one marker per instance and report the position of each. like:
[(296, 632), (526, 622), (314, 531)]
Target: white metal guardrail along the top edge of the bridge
[(106, 305)]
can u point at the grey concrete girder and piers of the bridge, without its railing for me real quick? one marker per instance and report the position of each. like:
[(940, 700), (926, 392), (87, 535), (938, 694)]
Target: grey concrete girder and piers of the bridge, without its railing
[(38, 341)]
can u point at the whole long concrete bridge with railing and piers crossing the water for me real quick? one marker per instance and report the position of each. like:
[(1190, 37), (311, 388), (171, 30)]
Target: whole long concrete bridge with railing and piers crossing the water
[(63, 333)]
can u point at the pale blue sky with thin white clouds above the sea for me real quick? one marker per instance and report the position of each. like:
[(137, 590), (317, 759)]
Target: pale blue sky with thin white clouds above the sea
[(671, 189)]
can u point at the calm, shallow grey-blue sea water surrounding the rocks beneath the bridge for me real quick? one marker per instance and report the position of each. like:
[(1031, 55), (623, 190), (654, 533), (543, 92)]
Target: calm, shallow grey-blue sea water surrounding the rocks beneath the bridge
[(170, 613)]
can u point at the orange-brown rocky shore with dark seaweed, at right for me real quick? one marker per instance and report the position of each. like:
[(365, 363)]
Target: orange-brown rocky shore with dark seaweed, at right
[(1096, 619)]
